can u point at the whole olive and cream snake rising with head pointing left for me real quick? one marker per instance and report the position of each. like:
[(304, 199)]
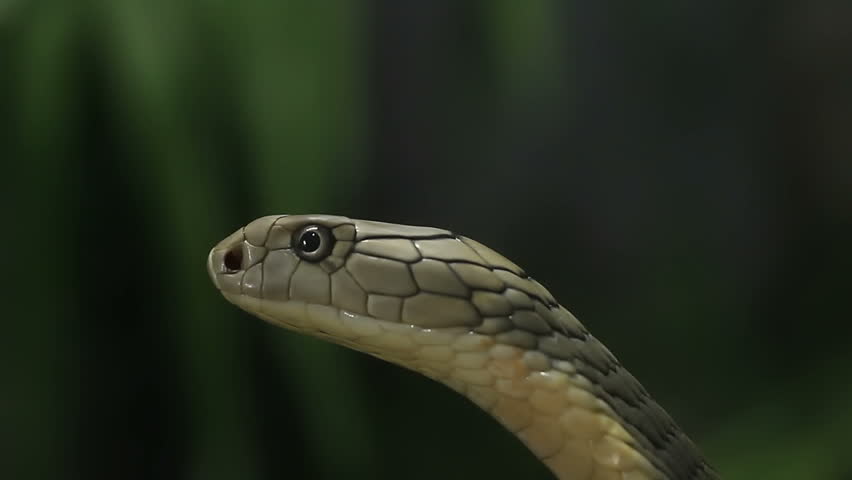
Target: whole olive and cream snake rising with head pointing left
[(456, 311)]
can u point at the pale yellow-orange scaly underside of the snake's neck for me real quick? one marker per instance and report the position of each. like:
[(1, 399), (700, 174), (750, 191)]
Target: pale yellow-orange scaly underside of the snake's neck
[(551, 410)]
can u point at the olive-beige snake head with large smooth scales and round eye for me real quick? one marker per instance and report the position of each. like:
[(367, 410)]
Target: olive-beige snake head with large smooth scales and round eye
[(349, 280)]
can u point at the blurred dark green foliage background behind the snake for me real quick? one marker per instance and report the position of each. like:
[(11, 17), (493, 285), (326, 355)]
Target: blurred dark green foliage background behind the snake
[(678, 173)]
